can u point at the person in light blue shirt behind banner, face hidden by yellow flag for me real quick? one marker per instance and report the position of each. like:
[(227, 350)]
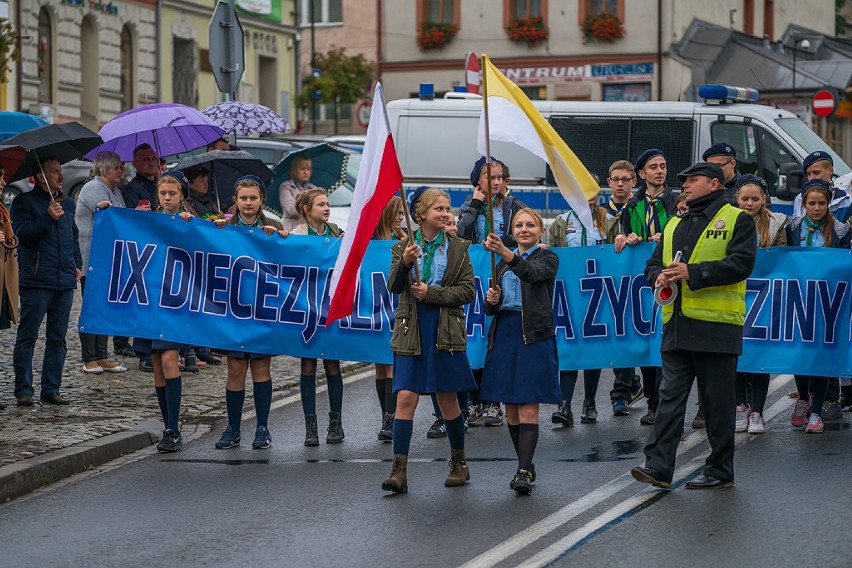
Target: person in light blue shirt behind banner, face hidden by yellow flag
[(567, 231)]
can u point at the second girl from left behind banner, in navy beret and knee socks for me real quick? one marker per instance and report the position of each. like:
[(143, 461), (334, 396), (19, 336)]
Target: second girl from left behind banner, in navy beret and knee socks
[(249, 195)]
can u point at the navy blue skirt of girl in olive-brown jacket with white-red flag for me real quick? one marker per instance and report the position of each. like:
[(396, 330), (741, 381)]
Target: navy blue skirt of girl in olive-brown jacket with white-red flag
[(433, 370)]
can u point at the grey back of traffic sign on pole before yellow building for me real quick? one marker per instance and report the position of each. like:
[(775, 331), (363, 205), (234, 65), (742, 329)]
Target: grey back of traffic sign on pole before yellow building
[(227, 56)]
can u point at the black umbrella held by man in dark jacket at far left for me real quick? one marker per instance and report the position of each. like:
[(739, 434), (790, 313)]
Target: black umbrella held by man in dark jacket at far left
[(63, 142)]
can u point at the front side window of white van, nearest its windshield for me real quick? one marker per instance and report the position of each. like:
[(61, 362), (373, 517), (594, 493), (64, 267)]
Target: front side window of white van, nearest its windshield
[(758, 151)]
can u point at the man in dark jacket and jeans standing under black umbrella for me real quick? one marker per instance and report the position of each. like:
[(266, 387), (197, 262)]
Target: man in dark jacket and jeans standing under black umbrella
[(49, 266)]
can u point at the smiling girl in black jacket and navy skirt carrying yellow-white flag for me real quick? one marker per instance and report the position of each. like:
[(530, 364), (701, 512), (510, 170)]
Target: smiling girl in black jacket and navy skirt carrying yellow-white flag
[(522, 364)]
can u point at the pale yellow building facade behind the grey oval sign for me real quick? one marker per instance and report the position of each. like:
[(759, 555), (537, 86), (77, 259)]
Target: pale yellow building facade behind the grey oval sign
[(269, 34)]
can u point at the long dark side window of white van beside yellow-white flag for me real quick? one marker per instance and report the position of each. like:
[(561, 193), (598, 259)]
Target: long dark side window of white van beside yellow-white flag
[(600, 140)]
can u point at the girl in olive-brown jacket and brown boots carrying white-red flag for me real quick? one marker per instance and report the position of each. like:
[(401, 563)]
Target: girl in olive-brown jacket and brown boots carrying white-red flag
[(429, 337)]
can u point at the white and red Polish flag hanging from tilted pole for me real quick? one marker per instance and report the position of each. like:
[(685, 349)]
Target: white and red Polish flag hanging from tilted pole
[(379, 179)]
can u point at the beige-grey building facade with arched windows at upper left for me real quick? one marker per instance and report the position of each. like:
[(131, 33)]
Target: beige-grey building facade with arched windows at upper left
[(83, 60)]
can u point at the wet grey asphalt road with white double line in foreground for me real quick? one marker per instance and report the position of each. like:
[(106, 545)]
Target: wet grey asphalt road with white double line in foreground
[(297, 506)]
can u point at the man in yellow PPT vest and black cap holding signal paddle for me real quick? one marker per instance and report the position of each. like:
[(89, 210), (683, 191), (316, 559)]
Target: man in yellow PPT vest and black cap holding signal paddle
[(703, 328)]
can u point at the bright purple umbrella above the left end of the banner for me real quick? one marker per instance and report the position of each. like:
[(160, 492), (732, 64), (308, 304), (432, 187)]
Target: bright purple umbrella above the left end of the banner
[(169, 128)]
